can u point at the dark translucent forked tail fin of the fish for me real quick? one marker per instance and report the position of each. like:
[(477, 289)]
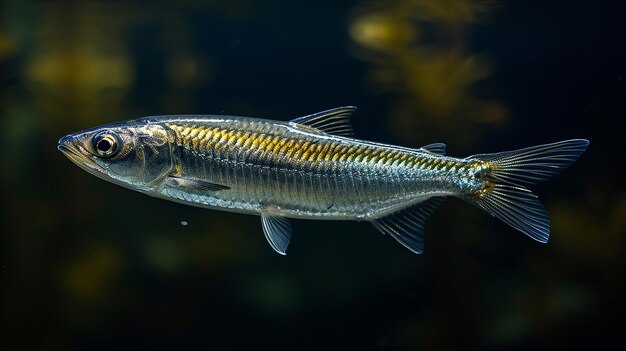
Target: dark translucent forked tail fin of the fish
[(506, 196)]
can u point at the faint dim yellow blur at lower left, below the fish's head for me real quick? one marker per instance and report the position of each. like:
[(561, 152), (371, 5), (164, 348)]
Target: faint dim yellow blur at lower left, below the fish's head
[(89, 276)]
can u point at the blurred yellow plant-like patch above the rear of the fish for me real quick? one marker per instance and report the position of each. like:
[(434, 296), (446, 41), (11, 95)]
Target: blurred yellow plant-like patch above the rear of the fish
[(418, 49)]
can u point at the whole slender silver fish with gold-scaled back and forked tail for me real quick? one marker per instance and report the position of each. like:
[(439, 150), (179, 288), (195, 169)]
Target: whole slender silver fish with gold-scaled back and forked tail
[(313, 167)]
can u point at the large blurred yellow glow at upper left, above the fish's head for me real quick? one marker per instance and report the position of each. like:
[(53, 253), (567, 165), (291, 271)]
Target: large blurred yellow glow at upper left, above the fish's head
[(80, 61)]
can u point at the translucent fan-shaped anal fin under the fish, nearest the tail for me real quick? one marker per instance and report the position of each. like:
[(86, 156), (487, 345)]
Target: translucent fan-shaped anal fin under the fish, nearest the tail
[(407, 225)]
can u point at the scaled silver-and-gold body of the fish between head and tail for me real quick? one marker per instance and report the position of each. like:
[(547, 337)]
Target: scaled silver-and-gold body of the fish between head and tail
[(294, 171)]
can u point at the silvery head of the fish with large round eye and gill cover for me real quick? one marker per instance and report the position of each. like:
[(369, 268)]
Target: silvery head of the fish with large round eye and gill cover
[(134, 154)]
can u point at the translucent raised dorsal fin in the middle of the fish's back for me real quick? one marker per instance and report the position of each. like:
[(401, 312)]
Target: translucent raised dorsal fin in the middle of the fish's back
[(335, 121)]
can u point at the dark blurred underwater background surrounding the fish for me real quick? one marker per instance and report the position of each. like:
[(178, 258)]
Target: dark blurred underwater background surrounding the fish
[(87, 264)]
